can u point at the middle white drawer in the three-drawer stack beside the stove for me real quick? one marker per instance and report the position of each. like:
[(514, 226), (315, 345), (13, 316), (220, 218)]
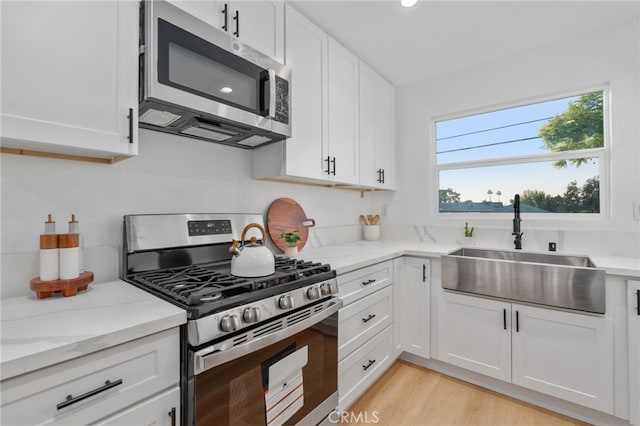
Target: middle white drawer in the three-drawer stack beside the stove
[(362, 320)]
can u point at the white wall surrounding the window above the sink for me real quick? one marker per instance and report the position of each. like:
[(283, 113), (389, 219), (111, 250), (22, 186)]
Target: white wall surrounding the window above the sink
[(610, 56)]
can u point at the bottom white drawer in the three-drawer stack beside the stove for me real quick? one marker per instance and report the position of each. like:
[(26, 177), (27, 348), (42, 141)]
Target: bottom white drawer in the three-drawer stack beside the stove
[(363, 367)]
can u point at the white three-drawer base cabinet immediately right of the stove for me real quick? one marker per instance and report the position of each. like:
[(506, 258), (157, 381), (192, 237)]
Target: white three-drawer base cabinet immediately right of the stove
[(365, 329)]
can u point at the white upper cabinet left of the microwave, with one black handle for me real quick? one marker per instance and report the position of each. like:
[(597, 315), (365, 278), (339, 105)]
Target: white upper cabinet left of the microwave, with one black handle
[(70, 78)]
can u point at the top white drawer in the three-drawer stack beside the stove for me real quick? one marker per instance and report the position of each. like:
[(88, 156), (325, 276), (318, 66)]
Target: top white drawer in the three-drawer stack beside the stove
[(357, 284)]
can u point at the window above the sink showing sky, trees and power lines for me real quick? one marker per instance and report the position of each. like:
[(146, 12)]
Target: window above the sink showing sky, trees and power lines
[(551, 153)]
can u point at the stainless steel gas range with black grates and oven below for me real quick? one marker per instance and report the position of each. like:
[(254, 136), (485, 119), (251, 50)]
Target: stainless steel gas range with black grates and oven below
[(254, 350)]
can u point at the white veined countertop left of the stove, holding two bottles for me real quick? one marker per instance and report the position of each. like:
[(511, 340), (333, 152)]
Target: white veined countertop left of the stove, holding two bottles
[(38, 333)]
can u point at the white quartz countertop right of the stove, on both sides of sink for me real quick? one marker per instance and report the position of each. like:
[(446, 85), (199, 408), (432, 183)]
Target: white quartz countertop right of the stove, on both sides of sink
[(348, 257)]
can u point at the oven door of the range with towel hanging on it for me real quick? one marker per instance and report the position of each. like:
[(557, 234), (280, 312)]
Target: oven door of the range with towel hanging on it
[(282, 378)]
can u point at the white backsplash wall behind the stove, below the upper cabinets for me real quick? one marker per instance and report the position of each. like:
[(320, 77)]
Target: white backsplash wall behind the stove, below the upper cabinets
[(171, 174)]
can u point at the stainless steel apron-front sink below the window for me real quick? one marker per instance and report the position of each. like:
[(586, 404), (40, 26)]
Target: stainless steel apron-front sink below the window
[(571, 282)]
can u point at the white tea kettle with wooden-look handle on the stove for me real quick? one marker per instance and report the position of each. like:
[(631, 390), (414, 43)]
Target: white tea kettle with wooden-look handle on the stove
[(251, 260)]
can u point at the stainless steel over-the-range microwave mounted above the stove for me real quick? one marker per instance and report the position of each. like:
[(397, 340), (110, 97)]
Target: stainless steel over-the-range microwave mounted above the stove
[(198, 81)]
